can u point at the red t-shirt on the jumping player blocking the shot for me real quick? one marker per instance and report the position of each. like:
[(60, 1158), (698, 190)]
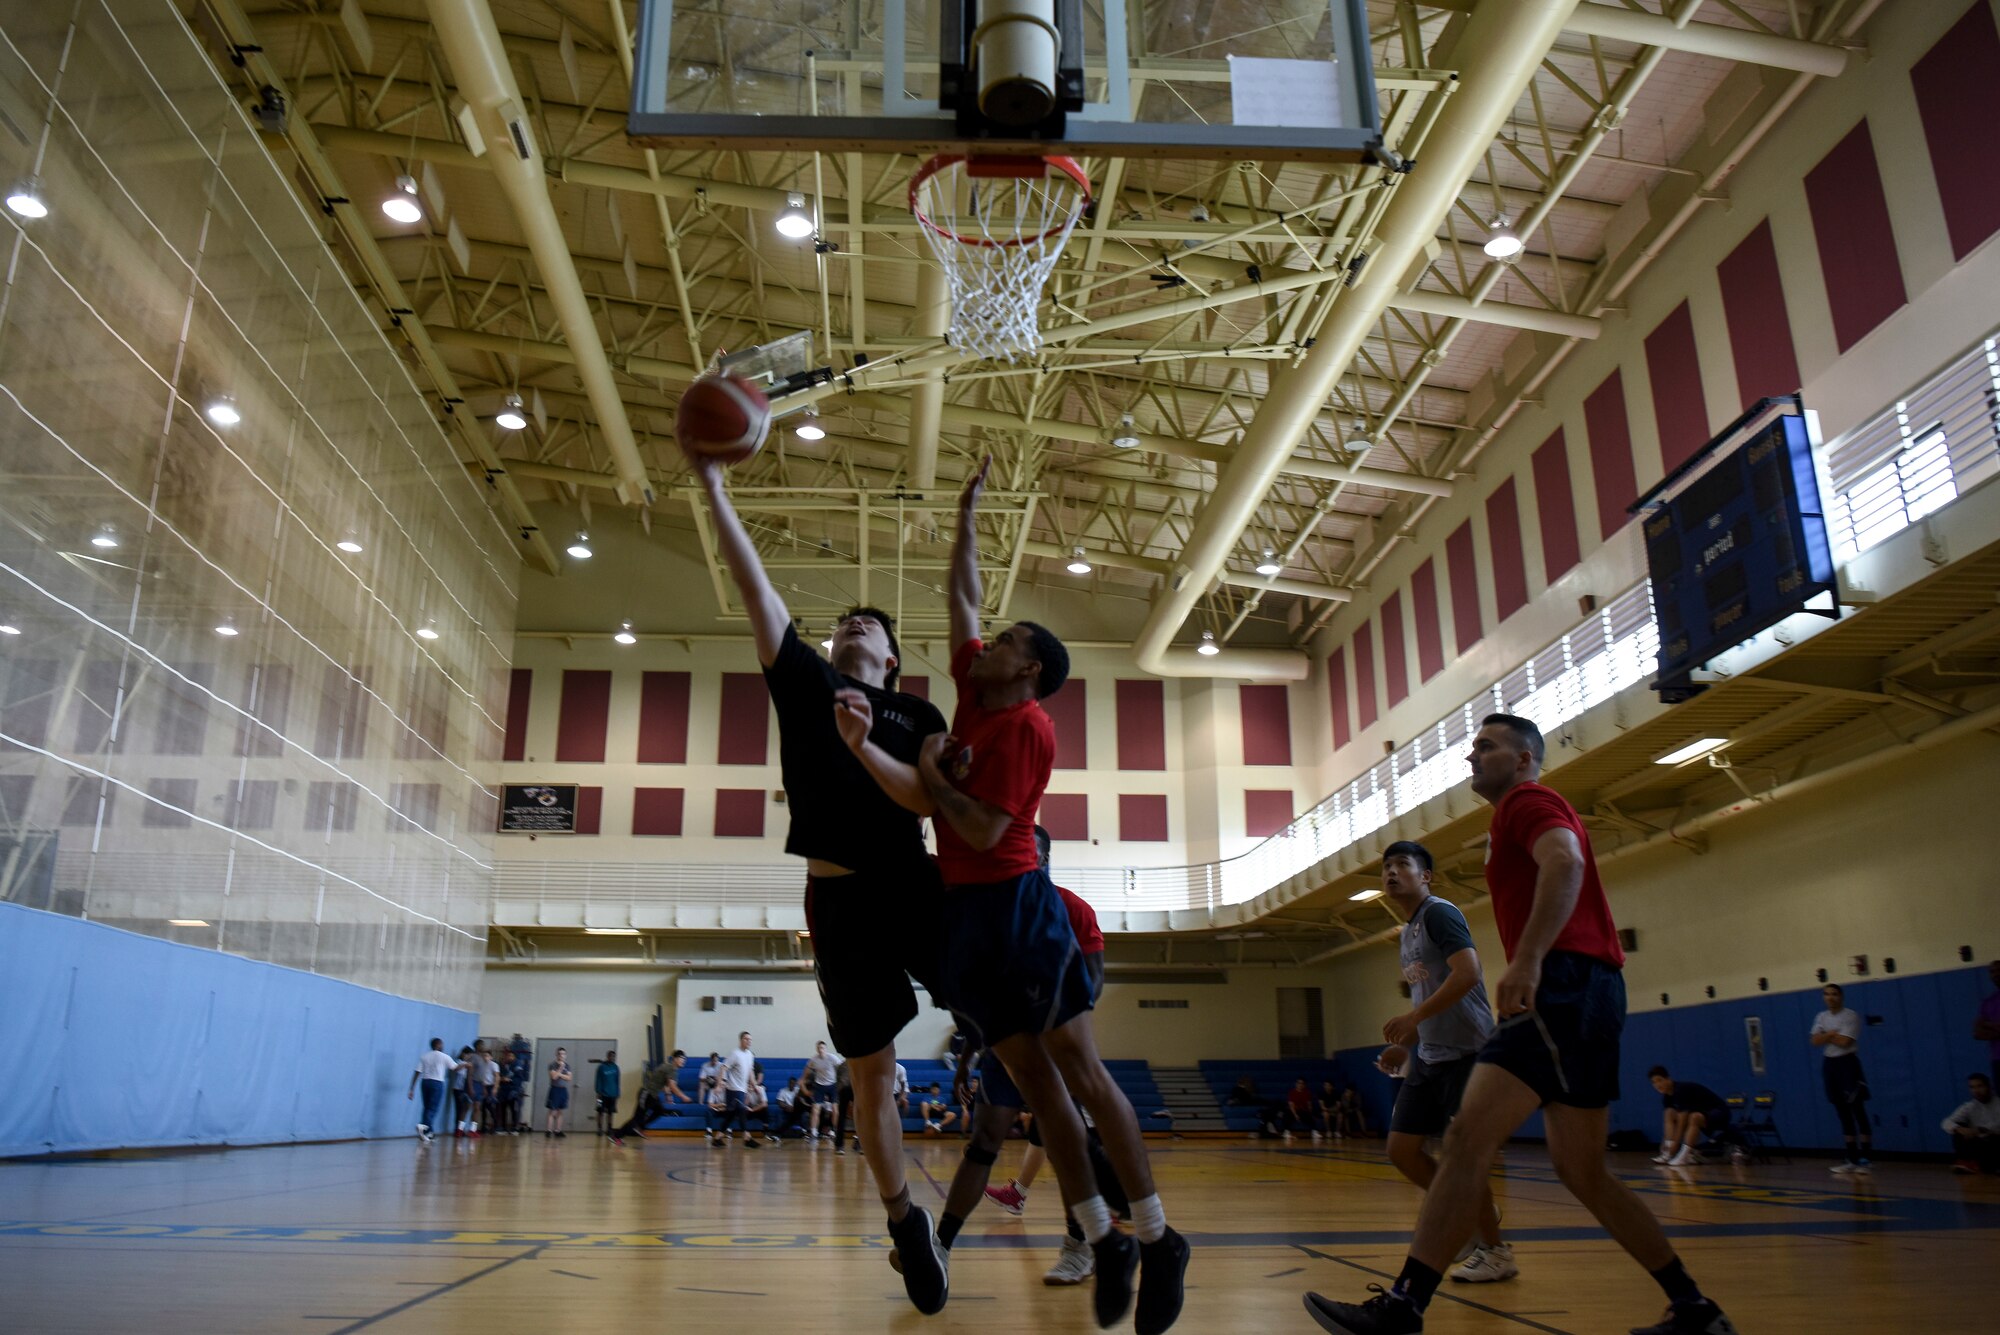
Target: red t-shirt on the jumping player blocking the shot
[(1003, 758)]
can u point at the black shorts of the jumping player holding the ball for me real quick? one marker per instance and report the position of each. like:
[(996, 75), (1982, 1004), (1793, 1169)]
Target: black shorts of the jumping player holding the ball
[(871, 936)]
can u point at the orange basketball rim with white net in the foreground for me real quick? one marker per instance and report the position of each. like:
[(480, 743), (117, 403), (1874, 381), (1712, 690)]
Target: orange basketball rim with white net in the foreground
[(997, 227)]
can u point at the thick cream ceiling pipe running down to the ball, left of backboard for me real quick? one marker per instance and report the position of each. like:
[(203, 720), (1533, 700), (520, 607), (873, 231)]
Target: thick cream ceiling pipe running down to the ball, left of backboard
[(487, 83)]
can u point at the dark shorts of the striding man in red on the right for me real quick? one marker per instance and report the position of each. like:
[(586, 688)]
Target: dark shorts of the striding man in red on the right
[(1567, 1048)]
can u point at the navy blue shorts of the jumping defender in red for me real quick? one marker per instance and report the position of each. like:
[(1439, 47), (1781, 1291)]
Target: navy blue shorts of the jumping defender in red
[(1011, 958)]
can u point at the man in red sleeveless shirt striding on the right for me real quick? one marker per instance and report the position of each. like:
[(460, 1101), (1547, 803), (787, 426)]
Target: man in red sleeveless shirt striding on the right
[(1561, 1006)]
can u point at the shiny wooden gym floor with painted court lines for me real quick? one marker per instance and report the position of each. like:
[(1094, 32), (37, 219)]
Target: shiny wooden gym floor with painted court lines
[(669, 1234)]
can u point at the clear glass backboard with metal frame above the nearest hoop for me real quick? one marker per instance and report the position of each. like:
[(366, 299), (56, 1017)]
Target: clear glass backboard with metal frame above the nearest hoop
[(865, 77)]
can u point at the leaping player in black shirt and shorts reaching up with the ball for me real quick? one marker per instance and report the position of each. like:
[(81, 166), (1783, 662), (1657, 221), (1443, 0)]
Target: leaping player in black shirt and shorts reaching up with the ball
[(873, 890)]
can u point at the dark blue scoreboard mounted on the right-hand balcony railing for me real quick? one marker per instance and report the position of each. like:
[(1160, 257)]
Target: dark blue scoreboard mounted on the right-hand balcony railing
[(1735, 541)]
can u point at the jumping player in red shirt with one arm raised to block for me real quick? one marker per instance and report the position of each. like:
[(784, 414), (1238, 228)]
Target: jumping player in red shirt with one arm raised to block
[(1011, 956)]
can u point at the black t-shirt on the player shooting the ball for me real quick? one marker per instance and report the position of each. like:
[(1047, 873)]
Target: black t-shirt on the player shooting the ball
[(839, 812)]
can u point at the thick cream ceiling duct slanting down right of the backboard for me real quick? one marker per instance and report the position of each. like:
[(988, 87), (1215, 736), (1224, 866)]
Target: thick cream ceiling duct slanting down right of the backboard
[(1499, 53)]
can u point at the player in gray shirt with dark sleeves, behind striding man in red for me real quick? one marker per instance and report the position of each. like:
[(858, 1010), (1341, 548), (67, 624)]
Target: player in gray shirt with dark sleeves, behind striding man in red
[(1439, 1038)]
